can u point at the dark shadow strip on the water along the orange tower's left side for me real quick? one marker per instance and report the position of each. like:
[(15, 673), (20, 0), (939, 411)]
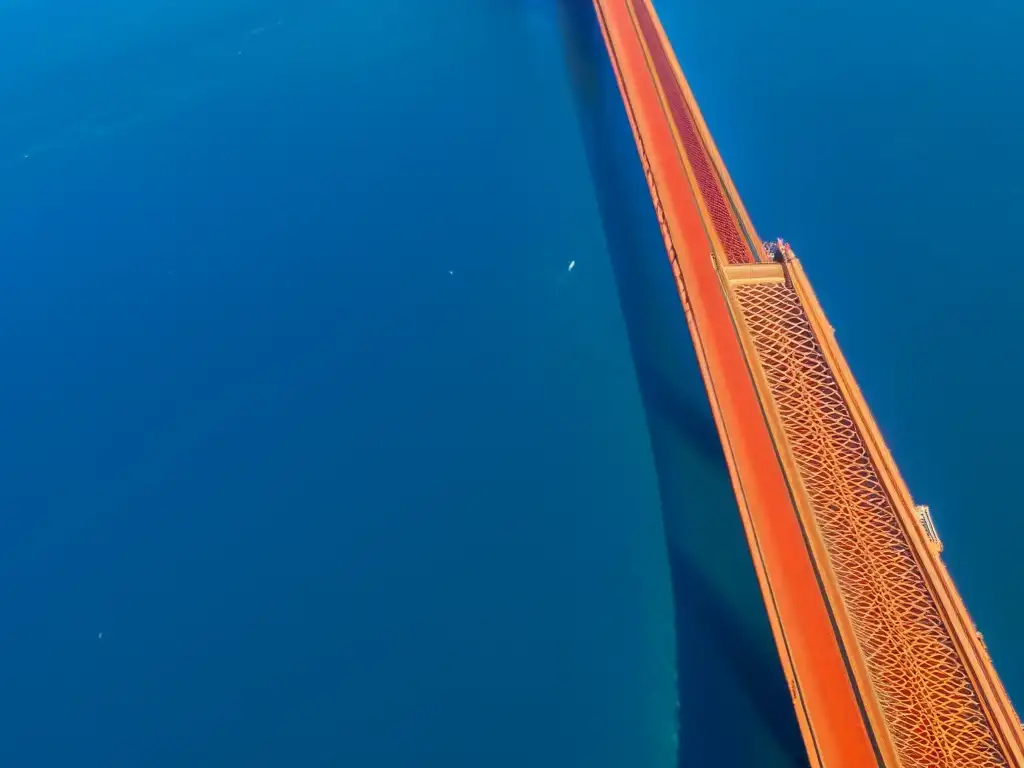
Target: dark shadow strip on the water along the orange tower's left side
[(735, 706)]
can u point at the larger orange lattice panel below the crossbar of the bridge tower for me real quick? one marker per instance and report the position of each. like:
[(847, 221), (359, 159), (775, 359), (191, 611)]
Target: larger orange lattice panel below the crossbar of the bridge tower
[(926, 695)]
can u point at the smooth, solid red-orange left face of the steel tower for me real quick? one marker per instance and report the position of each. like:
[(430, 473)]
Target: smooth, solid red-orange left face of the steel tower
[(832, 718)]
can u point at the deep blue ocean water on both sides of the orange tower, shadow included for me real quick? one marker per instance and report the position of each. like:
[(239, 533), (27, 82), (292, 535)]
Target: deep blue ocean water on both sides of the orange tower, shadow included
[(319, 454)]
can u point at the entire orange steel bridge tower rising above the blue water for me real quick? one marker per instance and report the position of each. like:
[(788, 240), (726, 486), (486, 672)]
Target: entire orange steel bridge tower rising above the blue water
[(884, 663)]
